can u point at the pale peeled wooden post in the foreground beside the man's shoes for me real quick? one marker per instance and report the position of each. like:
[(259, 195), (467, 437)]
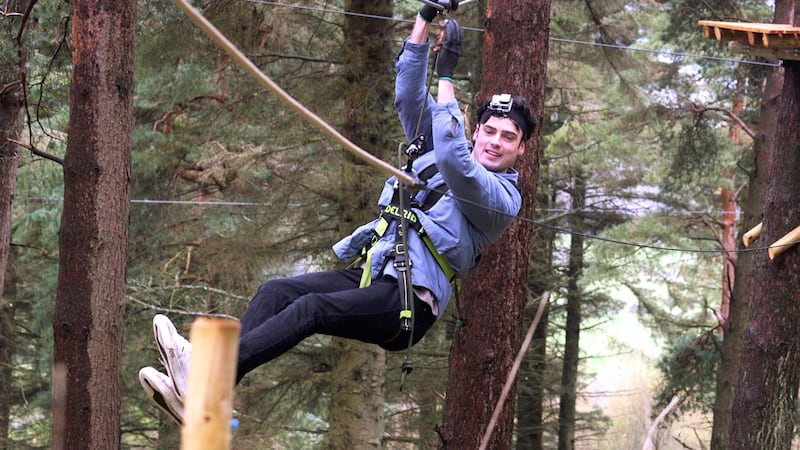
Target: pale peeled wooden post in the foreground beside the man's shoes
[(212, 371)]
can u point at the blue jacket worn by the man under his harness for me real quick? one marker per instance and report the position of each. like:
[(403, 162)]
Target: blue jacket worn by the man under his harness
[(478, 207)]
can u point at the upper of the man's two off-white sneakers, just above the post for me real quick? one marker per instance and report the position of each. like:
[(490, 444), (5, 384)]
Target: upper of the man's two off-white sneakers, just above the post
[(175, 352)]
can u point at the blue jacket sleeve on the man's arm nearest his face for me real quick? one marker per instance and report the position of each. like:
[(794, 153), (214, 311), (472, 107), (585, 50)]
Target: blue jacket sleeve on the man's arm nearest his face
[(489, 200)]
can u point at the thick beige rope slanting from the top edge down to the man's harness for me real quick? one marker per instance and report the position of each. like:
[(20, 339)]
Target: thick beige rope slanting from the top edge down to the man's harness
[(290, 101)]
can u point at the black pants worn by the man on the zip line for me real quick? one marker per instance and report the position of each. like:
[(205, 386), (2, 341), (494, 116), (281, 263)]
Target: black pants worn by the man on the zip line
[(285, 311)]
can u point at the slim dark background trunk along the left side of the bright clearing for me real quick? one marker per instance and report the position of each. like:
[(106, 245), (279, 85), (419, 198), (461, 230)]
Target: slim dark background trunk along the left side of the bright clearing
[(569, 373)]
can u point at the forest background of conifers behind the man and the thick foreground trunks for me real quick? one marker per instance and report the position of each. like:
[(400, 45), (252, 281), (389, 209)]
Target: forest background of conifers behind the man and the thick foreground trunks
[(647, 147)]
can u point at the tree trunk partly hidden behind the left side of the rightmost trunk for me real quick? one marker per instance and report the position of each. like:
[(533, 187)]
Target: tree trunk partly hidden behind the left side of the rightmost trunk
[(736, 321)]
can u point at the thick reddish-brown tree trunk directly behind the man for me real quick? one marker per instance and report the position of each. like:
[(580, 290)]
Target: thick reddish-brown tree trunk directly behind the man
[(494, 295)]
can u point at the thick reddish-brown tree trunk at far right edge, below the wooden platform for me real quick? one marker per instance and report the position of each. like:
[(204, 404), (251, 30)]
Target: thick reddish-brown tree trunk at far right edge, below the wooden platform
[(765, 399)]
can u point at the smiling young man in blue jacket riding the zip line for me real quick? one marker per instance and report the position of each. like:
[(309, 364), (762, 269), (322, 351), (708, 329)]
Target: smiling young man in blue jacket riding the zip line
[(366, 302)]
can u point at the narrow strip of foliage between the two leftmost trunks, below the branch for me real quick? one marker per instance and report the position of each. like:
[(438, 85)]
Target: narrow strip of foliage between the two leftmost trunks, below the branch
[(31, 285)]
